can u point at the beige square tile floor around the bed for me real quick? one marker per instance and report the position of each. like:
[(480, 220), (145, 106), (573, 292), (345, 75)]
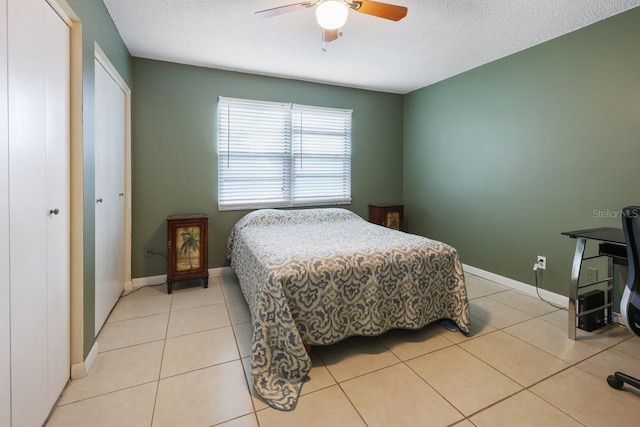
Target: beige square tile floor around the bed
[(183, 360)]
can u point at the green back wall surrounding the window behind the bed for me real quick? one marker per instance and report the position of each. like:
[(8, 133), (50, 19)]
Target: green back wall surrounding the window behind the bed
[(174, 160)]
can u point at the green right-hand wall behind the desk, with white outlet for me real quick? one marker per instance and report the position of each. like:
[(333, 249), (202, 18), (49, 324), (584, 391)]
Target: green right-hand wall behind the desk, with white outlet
[(500, 160)]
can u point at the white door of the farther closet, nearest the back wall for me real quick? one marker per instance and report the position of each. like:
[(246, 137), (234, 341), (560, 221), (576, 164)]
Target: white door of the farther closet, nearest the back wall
[(109, 214)]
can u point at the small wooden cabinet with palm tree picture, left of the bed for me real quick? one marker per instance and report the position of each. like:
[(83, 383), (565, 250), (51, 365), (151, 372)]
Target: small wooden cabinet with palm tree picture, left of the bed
[(187, 249)]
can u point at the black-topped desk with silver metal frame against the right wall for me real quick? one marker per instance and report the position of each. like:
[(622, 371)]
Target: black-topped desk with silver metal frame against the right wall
[(612, 245)]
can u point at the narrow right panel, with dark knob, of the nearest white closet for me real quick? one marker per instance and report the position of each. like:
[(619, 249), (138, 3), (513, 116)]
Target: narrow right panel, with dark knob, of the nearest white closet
[(58, 202)]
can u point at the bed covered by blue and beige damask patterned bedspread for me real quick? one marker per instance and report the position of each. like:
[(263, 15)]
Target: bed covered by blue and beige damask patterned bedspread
[(317, 276)]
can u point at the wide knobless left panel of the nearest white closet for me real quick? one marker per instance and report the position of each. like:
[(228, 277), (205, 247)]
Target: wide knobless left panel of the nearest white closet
[(28, 212)]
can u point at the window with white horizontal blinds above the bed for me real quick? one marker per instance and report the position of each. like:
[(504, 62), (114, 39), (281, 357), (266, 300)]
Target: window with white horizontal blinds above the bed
[(281, 155)]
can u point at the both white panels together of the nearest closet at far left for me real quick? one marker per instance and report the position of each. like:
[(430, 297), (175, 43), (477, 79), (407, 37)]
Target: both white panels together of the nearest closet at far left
[(38, 111)]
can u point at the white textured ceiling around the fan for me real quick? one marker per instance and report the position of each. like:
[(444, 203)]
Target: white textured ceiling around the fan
[(436, 40)]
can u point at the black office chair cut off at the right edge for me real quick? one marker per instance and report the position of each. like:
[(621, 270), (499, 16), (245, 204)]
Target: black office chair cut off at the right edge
[(630, 303)]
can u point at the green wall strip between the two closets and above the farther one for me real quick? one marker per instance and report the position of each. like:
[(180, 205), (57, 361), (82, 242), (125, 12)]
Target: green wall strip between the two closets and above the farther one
[(97, 27)]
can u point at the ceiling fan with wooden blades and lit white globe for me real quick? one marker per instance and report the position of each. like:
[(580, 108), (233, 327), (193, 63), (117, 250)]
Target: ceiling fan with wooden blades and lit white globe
[(332, 14)]
